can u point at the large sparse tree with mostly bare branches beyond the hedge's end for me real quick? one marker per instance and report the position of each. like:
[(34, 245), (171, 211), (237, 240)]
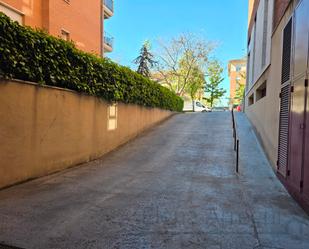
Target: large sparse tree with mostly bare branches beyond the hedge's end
[(179, 60)]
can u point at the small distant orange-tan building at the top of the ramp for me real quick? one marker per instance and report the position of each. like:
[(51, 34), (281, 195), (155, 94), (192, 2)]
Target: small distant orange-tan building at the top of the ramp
[(237, 75)]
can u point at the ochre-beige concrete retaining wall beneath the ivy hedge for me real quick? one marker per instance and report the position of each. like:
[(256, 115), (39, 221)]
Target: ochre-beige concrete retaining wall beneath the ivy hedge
[(44, 129)]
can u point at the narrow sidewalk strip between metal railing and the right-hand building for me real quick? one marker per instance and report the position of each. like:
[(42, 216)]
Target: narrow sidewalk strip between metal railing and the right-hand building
[(278, 220)]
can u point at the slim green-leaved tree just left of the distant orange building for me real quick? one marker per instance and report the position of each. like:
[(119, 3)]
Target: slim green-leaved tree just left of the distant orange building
[(212, 87)]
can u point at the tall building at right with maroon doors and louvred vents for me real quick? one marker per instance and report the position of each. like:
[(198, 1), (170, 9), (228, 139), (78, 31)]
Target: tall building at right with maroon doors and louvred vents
[(276, 96)]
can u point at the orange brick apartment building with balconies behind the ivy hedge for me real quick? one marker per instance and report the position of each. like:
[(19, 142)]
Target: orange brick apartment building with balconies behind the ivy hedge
[(77, 20)]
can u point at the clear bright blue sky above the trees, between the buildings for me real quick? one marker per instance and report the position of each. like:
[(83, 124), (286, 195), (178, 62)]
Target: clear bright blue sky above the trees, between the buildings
[(134, 21)]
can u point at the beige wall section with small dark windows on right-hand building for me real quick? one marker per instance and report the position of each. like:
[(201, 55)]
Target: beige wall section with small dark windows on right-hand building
[(264, 113)]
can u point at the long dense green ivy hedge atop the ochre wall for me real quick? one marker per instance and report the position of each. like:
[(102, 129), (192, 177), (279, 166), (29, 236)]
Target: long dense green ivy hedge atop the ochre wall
[(33, 55)]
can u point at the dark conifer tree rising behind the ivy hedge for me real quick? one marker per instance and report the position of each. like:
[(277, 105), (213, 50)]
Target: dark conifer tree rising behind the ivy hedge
[(145, 60)]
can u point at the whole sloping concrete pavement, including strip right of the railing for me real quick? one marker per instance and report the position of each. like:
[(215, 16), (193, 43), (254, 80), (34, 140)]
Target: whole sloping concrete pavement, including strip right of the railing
[(173, 187)]
